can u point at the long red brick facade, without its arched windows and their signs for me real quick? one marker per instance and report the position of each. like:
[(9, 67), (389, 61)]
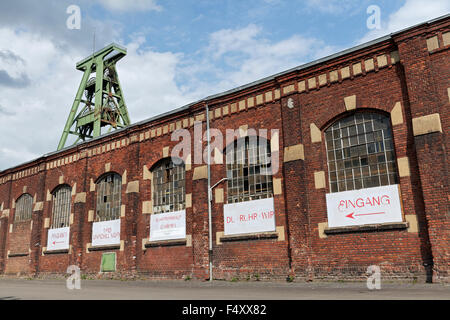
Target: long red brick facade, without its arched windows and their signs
[(405, 76)]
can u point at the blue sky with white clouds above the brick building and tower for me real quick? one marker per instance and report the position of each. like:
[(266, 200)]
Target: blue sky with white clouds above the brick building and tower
[(178, 52)]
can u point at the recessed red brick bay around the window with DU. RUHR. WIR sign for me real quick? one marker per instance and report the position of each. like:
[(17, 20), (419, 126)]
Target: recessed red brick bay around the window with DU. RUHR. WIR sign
[(265, 258)]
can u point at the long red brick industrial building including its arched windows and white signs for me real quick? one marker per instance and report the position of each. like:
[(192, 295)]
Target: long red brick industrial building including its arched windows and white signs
[(360, 128)]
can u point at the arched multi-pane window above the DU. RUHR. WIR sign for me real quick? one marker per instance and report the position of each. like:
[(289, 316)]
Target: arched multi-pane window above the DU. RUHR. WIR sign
[(249, 170)]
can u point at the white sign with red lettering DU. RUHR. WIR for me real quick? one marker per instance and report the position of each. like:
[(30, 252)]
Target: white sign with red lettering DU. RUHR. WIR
[(249, 216)]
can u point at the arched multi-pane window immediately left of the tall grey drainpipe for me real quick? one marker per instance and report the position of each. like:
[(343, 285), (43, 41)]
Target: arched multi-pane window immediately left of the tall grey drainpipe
[(169, 192)]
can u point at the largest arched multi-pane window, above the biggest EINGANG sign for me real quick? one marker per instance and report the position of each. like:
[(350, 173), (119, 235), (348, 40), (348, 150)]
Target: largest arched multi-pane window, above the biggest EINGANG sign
[(360, 152)]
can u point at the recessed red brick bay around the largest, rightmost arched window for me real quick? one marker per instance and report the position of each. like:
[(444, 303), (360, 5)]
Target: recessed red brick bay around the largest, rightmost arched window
[(374, 91)]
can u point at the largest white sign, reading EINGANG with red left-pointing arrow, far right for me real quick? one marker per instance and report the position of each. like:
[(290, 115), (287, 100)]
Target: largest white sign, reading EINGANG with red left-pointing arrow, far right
[(364, 206)]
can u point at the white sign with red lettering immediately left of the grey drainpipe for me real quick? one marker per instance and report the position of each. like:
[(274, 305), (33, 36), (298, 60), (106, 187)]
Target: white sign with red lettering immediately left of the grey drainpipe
[(169, 225)]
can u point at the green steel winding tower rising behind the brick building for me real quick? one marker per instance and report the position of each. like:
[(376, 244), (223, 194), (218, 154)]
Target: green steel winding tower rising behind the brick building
[(103, 103)]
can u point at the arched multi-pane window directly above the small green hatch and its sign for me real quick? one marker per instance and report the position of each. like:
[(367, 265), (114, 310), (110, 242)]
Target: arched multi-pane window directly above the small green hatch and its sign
[(109, 189)]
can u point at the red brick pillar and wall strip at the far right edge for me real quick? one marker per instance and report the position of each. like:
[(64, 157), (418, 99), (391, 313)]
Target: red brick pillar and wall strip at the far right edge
[(427, 77)]
